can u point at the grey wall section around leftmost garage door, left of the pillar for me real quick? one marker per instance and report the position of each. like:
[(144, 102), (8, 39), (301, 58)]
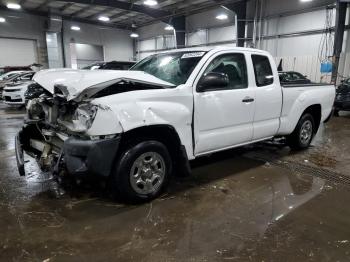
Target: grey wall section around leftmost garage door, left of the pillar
[(27, 27)]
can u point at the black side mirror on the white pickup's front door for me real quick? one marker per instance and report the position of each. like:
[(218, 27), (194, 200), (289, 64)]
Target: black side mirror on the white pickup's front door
[(213, 81)]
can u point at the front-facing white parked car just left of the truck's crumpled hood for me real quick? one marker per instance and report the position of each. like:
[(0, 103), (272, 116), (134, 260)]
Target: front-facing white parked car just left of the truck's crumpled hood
[(13, 94)]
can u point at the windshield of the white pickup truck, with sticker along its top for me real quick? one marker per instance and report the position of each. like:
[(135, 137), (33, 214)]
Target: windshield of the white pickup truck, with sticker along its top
[(174, 68)]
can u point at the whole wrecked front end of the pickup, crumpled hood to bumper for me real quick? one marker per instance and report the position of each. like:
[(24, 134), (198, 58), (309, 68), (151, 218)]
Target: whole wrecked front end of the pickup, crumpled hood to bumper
[(66, 130)]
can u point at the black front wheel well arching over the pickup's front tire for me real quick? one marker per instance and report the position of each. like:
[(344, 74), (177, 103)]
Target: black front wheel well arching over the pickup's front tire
[(165, 134)]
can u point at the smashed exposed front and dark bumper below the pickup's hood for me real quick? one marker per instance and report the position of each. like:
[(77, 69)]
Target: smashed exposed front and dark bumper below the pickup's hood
[(55, 134)]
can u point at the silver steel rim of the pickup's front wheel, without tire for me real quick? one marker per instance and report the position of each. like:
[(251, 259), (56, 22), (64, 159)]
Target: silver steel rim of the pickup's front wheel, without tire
[(147, 173)]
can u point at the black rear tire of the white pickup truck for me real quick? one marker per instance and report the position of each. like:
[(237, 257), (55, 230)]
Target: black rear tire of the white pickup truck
[(296, 140)]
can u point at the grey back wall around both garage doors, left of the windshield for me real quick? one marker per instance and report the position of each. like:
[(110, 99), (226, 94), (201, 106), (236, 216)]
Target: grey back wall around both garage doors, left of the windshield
[(116, 43)]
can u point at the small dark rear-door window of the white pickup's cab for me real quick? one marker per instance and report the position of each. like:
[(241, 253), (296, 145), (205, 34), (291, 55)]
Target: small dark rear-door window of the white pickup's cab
[(262, 70)]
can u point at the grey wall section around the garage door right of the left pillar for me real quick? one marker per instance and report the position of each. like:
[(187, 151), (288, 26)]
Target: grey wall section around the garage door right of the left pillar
[(117, 44)]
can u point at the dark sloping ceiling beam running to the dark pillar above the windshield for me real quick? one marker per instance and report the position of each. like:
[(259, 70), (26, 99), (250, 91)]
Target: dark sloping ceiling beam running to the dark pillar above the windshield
[(152, 12)]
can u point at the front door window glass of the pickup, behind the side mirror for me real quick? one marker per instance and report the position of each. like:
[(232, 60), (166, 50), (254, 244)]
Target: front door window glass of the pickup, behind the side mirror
[(234, 66)]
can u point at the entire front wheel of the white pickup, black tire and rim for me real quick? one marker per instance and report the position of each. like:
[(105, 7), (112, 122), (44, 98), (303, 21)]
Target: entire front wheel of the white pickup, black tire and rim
[(143, 171)]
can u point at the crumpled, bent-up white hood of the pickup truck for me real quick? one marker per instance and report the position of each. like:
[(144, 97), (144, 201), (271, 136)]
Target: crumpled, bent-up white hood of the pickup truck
[(82, 84)]
